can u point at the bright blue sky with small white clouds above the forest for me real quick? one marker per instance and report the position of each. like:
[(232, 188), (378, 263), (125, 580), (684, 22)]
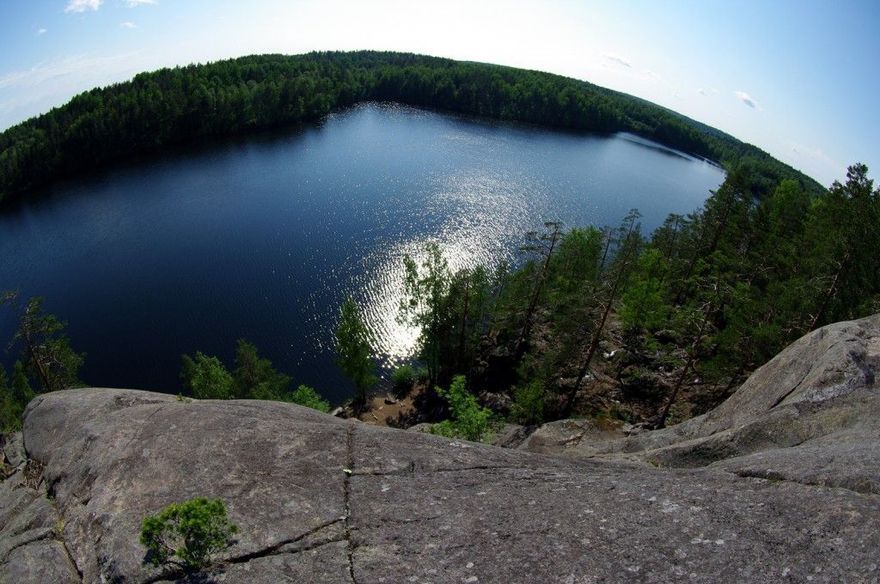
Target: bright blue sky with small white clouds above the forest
[(797, 78)]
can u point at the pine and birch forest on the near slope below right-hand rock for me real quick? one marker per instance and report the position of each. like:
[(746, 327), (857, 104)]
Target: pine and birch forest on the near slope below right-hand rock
[(617, 324)]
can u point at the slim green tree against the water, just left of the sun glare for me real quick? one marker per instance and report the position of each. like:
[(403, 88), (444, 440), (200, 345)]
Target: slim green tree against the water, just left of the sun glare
[(354, 353)]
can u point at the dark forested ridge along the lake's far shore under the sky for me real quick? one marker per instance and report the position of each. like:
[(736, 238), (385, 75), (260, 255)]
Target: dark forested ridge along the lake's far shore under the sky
[(185, 104)]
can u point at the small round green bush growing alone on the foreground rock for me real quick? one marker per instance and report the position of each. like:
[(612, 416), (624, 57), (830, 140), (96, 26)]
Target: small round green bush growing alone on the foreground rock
[(187, 534)]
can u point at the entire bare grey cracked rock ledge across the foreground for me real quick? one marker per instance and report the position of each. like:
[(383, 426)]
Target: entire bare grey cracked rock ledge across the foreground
[(779, 484)]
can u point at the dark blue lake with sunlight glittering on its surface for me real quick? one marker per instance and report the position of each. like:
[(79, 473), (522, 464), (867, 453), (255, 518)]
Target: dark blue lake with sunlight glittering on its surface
[(264, 238)]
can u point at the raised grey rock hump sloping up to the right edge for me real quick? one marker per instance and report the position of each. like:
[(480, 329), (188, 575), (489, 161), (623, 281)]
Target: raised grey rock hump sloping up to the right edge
[(810, 415)]
